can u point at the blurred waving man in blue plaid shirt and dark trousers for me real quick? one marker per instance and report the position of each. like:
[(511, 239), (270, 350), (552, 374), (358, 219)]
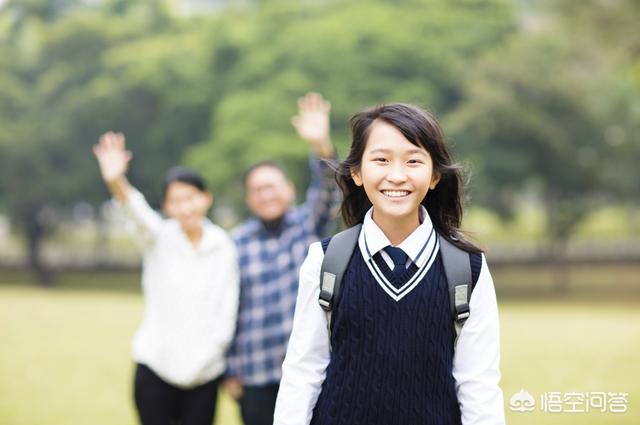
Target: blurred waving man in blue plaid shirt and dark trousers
[(271, 248)]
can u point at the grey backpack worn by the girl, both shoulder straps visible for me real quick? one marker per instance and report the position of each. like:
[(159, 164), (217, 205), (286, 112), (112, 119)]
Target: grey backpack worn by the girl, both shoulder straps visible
[(457, 266)]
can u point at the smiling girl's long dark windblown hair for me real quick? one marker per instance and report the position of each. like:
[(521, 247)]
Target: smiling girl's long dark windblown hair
[(444, 203)]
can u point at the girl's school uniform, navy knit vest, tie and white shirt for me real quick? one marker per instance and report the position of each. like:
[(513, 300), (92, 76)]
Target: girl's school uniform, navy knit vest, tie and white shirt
[(392, 339)]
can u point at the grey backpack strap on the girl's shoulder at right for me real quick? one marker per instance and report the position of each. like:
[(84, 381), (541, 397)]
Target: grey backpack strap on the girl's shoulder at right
[(457, 267)]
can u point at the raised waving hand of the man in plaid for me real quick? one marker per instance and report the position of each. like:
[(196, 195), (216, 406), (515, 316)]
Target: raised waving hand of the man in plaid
[(312, 122)]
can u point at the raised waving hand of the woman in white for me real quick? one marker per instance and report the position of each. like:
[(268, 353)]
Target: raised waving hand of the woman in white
[(113, 158)]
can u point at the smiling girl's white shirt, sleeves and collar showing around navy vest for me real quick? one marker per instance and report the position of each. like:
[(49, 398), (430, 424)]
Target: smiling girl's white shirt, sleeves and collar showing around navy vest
[(476, 359)]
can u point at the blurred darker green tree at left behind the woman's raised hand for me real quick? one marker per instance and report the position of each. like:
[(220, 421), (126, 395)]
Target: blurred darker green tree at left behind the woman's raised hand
[(64, 82)]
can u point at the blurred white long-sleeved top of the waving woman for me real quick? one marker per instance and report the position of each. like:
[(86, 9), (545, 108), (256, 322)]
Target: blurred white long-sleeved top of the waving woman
[(190, 297)]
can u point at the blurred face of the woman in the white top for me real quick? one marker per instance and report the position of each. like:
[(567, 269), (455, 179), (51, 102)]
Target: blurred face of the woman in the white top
[(187, 204)]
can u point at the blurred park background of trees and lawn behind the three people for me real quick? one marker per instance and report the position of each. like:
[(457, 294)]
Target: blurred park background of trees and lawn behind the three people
[(540, 100)]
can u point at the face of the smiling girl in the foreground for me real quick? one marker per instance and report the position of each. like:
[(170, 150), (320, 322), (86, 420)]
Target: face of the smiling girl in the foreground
[(395, 173)]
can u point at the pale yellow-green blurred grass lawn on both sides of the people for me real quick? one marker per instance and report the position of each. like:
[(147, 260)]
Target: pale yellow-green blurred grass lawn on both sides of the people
[(65, 356)]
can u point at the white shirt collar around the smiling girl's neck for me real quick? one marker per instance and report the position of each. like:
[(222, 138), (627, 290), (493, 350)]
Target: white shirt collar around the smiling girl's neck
[(372, 239)]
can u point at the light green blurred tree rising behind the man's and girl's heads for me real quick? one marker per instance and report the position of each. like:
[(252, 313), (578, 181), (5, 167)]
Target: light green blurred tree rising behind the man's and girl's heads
[(355, 53)]
